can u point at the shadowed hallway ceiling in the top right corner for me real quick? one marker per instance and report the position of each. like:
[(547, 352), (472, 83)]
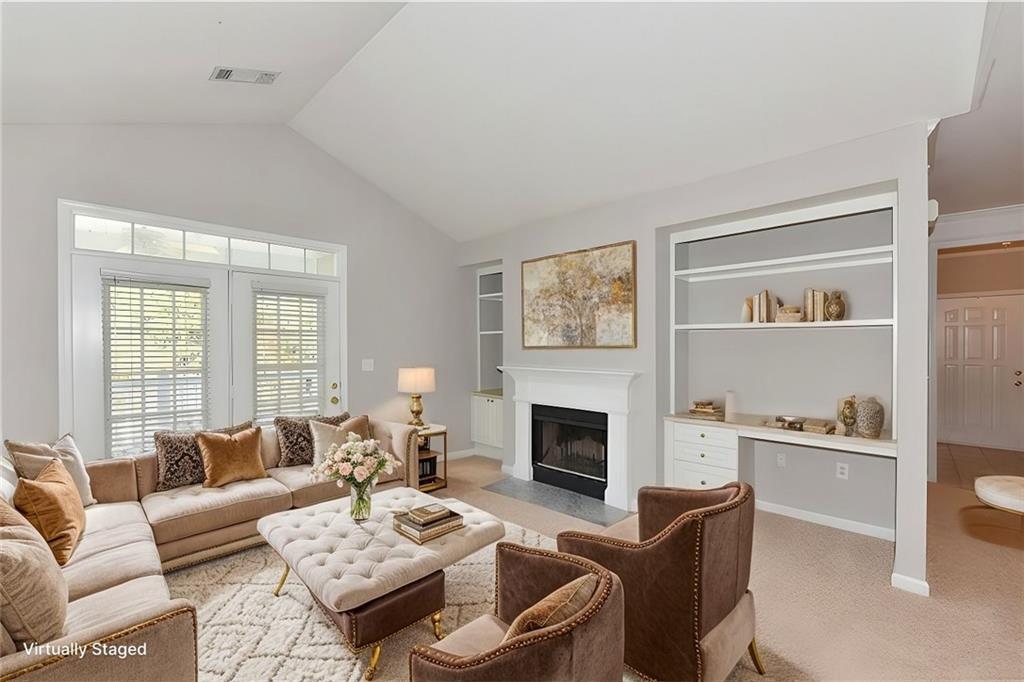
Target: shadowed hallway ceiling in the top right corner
[(979, 157)]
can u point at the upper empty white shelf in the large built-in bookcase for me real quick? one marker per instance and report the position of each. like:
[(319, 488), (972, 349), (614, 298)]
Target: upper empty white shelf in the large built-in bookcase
[(819, 262)]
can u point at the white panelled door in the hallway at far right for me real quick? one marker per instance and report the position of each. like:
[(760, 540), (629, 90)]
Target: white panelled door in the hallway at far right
[(980, 349)]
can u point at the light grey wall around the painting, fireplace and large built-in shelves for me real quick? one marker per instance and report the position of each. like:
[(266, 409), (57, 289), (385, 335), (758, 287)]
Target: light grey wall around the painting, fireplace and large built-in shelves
[(898, 158)]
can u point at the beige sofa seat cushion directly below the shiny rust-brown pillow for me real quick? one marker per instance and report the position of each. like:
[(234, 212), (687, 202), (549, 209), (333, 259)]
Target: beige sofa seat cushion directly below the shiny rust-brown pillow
[(194, 509)]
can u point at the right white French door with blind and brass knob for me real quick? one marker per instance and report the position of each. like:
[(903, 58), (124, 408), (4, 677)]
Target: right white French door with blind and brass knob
[(278, 359)]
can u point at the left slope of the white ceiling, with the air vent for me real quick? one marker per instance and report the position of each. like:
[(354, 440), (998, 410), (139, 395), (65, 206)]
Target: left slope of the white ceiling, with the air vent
[(149, 63)]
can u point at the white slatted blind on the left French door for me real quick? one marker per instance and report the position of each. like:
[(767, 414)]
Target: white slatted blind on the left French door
[(156, 347)]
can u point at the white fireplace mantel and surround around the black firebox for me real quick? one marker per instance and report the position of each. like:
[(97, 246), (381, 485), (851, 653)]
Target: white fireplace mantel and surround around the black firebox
[(598, 391)]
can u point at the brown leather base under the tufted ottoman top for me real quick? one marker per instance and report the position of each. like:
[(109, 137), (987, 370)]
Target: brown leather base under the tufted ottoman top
[(387, 616)]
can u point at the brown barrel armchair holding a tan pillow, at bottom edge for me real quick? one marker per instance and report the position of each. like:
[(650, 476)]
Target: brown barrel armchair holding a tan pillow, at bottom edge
[(587, 646)]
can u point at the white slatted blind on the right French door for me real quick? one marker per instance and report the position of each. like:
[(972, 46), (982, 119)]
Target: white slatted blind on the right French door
[(289, 354)]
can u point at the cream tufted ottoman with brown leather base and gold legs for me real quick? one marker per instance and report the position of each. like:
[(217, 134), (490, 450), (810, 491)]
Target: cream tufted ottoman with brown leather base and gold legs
[(370, 580)]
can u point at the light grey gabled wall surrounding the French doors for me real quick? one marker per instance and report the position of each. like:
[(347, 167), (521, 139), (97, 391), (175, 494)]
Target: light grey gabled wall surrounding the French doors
[(402, 271)]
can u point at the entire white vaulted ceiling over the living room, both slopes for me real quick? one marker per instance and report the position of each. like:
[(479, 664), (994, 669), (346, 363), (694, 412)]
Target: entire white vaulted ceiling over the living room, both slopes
[(484, 117)]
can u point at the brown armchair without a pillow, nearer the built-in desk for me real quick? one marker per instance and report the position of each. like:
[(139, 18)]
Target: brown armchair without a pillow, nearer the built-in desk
[(686, 564)]
